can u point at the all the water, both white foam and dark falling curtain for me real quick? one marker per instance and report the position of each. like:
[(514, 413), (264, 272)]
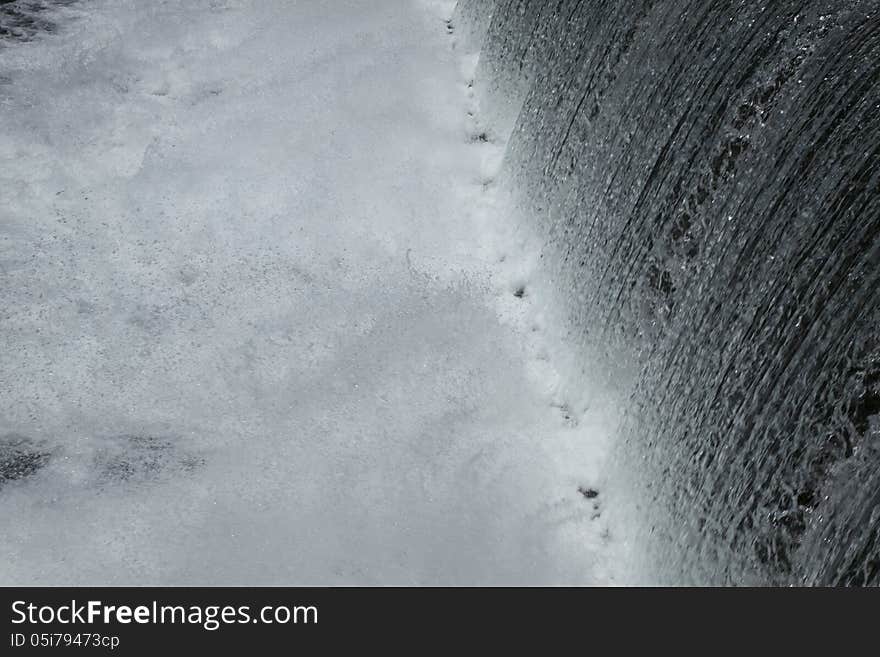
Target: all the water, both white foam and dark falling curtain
[(235, 235)]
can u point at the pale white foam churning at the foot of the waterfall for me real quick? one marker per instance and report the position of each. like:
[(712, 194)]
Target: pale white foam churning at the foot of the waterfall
[(259, 306)]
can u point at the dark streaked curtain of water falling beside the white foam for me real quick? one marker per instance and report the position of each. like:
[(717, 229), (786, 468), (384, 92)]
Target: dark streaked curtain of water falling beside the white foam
[(707, 177)]
